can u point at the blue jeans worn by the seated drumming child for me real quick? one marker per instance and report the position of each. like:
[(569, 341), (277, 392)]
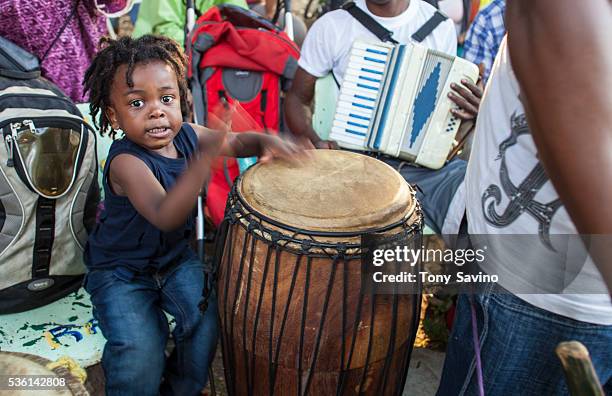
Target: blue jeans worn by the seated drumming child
[(129, 308)]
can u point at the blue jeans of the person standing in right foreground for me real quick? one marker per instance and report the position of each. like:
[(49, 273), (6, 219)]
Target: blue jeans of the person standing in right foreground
[(518, 342)]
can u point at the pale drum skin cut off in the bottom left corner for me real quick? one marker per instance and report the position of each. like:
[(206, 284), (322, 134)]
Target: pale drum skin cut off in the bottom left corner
[(22, 364)]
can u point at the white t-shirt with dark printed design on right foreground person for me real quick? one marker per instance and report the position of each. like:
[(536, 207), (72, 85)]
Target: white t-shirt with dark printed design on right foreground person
[(507, 192)]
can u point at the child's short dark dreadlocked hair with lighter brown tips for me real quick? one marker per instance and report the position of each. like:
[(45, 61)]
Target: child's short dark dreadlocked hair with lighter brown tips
[(131, 52)]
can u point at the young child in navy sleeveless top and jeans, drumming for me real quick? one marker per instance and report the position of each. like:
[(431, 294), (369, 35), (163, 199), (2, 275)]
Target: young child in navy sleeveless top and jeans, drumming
[(139, 260)]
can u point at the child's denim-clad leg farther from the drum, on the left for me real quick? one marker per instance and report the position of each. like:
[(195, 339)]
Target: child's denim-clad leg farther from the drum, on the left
[(136, 332)]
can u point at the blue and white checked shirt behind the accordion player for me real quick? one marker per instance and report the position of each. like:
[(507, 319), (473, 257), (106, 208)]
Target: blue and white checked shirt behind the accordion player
[(485, 35)]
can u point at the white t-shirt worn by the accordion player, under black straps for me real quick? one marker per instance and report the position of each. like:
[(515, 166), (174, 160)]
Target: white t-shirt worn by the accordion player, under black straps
[(330, 38)]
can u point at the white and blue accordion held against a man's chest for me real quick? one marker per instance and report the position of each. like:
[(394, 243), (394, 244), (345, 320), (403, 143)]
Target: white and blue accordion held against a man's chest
[(394, 100)]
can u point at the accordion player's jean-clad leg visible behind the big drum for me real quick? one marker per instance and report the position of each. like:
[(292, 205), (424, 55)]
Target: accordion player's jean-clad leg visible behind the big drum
[(436, 188)]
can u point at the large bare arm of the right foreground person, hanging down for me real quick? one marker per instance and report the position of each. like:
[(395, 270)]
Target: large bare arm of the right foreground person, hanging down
[(562, 57)]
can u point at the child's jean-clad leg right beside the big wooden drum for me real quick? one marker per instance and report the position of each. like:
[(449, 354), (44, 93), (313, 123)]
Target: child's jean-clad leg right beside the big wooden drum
[(195, 334)]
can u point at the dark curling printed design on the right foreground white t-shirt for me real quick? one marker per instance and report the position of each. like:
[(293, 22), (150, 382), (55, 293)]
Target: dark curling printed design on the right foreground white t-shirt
[(522, 196)]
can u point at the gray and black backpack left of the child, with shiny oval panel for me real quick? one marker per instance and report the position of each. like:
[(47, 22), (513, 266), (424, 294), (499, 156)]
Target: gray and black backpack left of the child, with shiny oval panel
[(48, 185)]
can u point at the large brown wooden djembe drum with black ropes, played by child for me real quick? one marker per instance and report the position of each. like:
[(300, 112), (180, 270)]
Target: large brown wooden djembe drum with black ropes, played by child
[(295, 316)]
